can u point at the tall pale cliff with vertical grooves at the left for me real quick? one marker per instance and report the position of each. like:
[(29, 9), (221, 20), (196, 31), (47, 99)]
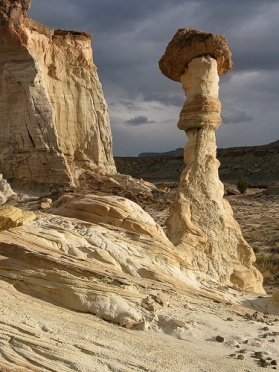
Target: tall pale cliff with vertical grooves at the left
[(53, 116)]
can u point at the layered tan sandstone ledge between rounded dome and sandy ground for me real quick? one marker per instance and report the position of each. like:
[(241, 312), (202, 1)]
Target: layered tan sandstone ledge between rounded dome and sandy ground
[(99, 269)]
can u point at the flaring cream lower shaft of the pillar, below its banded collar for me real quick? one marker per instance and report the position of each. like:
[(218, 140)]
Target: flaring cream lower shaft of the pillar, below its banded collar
[(201, 223)]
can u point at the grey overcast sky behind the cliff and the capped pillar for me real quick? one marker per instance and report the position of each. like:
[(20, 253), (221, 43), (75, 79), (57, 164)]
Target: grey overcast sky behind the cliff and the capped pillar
[(129, 38)]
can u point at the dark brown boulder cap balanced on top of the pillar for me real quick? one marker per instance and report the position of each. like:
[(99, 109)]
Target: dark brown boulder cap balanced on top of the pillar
[(188, 44)]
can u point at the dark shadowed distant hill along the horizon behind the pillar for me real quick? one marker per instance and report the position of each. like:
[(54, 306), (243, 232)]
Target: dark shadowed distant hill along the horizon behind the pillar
[(258, 164)]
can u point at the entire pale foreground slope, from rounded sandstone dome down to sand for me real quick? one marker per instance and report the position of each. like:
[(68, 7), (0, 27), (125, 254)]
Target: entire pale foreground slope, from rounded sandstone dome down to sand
[(72, 282)]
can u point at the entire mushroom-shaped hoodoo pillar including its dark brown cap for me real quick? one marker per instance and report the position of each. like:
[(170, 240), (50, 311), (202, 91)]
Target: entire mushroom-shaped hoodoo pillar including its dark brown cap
[(201, 222)]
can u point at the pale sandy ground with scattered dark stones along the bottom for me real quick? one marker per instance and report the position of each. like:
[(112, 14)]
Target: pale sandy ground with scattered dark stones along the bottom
[(50, 338)]
